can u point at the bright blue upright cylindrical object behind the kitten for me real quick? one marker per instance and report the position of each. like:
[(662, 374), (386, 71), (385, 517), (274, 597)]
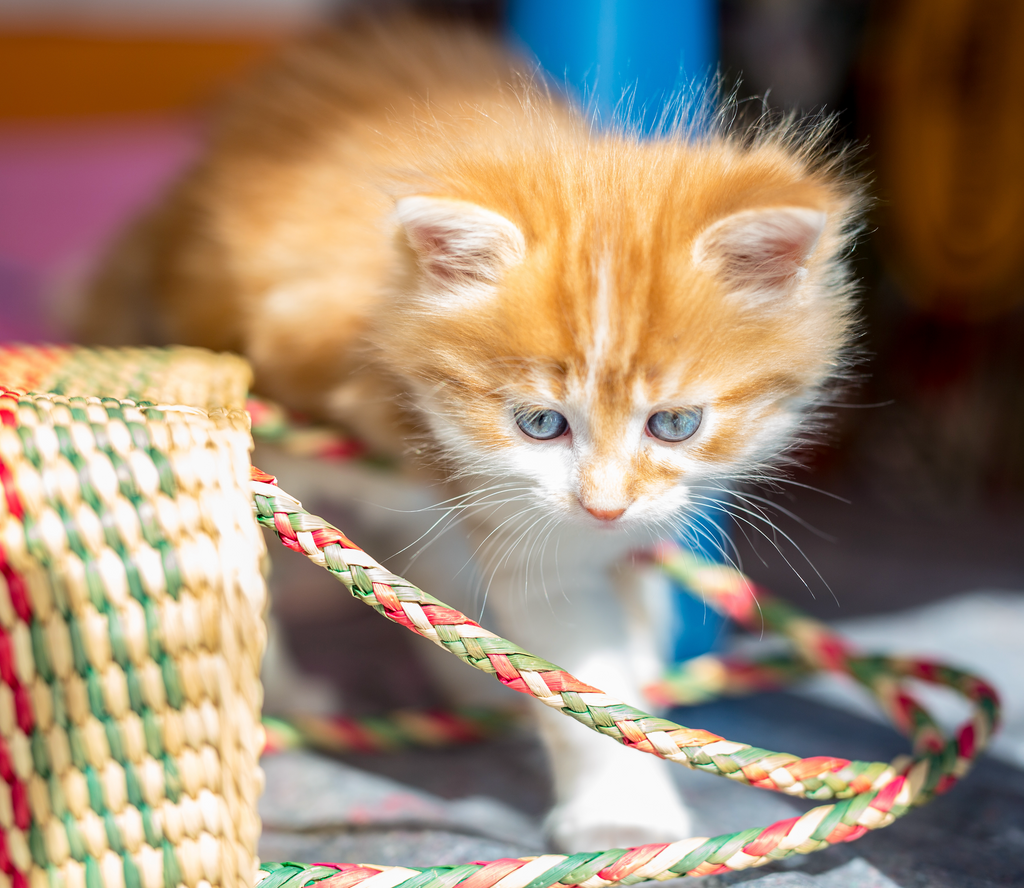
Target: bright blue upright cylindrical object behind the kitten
[(626, 60)]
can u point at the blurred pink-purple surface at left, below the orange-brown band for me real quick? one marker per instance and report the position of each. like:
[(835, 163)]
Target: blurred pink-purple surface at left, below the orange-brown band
[(66, 189)]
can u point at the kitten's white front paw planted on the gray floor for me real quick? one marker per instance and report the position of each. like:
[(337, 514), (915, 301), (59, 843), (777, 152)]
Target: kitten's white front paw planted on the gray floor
[(596, 821)]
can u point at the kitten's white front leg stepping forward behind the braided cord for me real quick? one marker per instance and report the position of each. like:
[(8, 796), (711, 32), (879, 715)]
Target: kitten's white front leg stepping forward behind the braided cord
[(607, 795)]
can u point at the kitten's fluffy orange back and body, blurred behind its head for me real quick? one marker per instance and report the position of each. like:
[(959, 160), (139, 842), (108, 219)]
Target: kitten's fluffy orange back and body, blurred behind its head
[(277, 241)]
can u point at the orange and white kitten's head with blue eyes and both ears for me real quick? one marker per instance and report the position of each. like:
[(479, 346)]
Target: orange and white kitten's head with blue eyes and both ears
[(620, 326)]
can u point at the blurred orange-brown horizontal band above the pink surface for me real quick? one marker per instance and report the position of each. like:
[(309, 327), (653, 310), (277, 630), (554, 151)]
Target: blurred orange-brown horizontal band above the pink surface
[(49, 75)]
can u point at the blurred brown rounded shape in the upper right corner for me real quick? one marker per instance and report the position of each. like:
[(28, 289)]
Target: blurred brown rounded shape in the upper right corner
[(946, 80)]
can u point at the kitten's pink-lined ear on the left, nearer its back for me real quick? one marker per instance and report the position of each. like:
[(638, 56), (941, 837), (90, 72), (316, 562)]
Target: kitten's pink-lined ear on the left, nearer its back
[(458, 243)]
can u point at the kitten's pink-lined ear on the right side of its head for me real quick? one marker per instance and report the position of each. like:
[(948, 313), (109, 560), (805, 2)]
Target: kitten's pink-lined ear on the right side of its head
[(761, 252)]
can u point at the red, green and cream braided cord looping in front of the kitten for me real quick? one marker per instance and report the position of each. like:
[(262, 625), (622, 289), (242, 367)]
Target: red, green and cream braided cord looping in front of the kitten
[(866, 795)]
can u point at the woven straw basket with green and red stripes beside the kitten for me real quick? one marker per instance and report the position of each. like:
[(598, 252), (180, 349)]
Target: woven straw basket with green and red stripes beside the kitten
[(132, 625)]
